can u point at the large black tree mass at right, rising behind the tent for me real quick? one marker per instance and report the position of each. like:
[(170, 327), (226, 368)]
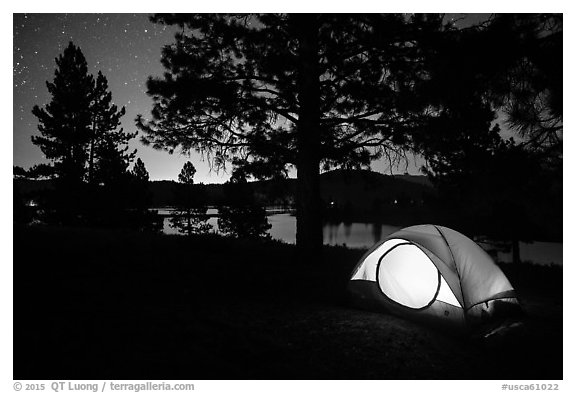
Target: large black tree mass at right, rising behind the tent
[(507, 189)]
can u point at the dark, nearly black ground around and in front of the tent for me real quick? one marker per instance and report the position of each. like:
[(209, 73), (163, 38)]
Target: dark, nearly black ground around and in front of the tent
[(94, 304)]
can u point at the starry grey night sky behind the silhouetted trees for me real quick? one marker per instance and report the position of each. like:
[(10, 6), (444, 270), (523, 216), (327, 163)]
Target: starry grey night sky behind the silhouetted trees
[(126, 48)]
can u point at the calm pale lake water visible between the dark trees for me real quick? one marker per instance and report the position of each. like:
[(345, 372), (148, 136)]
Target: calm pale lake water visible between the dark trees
[(362, 235)]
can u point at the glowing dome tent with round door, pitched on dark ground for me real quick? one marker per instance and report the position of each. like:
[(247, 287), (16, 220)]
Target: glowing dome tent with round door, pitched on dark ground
[(432, 273)]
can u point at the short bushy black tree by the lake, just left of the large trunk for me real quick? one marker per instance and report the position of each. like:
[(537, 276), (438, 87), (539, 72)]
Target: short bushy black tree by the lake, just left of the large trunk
[(242, 217)]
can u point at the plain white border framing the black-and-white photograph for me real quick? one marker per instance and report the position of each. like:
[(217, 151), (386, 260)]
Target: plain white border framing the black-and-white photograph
[(295, 6)]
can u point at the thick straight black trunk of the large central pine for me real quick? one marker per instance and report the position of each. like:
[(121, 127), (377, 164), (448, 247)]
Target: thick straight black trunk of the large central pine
[(309, 219)]
